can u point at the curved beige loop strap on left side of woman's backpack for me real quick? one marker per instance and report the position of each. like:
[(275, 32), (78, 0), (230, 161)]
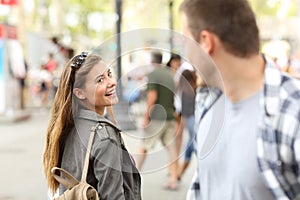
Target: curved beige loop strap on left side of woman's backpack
[(69, 182)]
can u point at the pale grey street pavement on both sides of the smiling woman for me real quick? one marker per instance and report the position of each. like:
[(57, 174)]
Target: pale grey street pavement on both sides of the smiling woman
[(21, 173)]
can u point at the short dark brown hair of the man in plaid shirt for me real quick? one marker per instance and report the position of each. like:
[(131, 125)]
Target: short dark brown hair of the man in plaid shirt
[(232, 21)]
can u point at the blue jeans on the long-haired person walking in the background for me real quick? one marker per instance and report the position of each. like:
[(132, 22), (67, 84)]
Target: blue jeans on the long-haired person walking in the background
[(189, 148)]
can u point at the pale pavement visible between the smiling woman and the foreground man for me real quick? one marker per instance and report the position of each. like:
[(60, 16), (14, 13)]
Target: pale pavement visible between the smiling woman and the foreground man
[(155, 172)]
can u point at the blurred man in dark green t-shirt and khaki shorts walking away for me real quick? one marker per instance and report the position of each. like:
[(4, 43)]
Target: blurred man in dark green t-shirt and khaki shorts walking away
[(159, 121)]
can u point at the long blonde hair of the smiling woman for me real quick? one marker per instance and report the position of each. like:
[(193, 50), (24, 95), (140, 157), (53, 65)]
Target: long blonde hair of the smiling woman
[(65, 106)]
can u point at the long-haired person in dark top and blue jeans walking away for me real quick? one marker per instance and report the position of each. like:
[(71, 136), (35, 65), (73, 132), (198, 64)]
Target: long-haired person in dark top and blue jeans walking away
[(188, 85)]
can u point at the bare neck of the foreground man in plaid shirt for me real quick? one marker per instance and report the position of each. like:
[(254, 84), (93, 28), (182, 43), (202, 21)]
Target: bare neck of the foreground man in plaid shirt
[(242, 77)]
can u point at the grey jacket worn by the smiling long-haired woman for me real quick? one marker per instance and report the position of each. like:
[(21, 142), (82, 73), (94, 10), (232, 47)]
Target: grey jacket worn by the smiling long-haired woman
[(111, 170)]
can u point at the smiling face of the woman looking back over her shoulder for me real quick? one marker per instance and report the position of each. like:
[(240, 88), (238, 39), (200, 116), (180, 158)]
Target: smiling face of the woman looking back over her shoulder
[(100, 88)]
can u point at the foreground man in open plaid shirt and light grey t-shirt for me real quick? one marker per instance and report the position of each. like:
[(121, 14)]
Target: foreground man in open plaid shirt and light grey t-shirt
[(256, 151)]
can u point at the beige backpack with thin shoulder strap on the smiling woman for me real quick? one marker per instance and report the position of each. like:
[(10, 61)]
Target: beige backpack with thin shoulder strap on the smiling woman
[(77, 190)]
